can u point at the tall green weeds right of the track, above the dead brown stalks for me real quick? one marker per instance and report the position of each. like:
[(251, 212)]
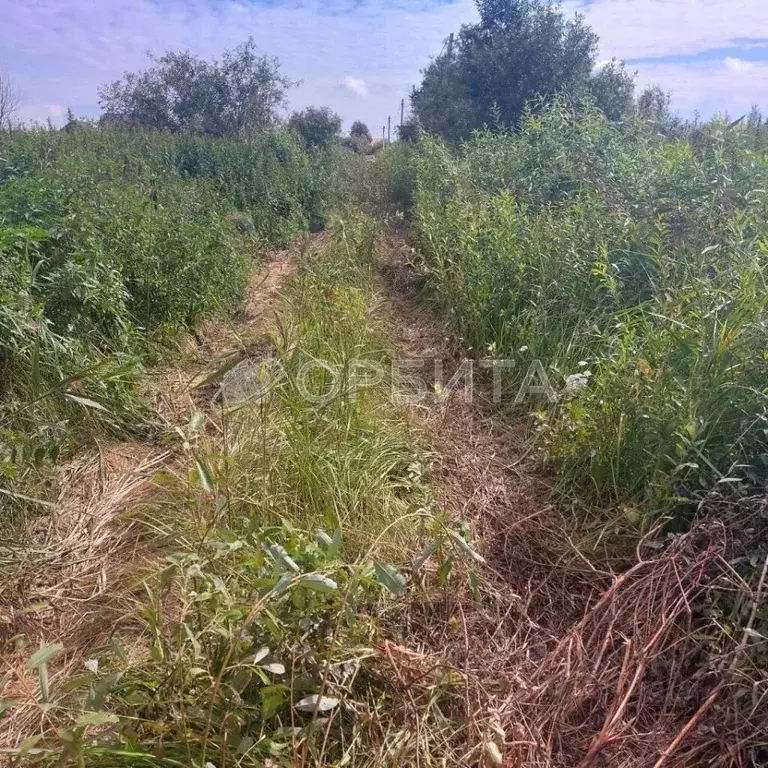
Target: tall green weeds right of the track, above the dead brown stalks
[(611, 250)]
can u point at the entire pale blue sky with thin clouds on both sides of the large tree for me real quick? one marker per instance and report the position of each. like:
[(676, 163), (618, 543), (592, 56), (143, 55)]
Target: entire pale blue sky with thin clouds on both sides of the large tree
[(361, 57)]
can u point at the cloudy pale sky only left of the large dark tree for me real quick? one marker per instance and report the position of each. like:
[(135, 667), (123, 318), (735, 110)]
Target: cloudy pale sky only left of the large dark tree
[(62, 50)]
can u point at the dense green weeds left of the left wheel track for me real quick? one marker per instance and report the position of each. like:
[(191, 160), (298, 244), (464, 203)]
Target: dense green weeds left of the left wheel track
[(111, 242)]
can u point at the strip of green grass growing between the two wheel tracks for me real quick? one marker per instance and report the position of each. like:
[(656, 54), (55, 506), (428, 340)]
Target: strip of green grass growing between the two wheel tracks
[(256, 639)]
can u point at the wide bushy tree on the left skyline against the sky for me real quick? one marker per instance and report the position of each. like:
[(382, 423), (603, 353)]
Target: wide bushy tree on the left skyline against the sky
[(236, 96)]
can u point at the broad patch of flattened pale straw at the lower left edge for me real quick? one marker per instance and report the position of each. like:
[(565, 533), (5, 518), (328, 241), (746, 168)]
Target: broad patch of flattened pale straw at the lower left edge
[(67, 582)]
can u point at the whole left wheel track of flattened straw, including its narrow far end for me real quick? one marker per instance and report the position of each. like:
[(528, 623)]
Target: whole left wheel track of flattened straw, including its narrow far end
[(88, 549)]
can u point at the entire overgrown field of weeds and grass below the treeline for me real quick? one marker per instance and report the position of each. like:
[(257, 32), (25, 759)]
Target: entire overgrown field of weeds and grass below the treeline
[(294, 575)]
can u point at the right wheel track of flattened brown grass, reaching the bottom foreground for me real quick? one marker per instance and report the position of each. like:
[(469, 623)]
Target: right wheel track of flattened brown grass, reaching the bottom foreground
[(483, 478)]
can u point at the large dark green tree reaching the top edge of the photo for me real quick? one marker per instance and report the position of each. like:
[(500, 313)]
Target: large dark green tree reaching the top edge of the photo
[(520, 50)]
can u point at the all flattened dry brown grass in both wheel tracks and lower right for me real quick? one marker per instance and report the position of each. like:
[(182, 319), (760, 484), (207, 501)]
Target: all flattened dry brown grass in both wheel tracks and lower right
[(552, 658)]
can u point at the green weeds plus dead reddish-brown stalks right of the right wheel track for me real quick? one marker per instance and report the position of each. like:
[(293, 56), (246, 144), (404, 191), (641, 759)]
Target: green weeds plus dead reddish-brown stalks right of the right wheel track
[(633, 266)]
